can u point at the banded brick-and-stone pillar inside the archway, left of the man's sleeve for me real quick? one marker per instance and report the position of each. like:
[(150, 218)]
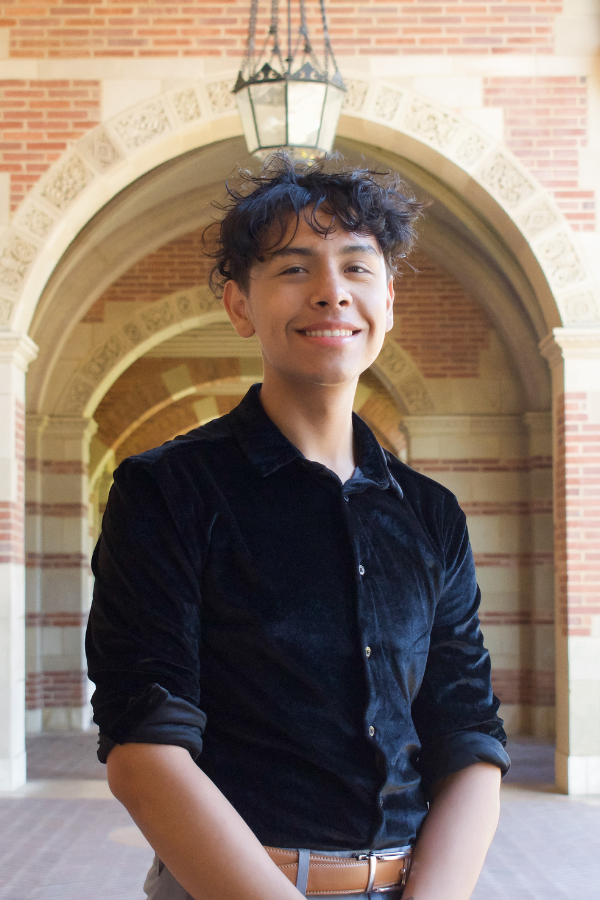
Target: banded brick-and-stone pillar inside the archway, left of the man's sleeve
[(58, 573)]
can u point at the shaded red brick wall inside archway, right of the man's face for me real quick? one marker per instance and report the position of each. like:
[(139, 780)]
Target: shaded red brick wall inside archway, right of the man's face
[(442, 328)]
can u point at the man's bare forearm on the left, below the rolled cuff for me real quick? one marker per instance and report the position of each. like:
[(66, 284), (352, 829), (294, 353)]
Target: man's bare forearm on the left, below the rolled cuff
[(193, 828)]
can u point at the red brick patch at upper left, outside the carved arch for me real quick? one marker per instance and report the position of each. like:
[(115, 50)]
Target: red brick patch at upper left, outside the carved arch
[(38, 121)]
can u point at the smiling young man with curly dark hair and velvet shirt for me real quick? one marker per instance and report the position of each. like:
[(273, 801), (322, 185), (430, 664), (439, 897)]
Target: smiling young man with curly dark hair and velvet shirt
[(284, 633)]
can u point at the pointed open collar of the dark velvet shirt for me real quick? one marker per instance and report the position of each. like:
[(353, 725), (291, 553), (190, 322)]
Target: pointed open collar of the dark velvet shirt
[(268, 449)]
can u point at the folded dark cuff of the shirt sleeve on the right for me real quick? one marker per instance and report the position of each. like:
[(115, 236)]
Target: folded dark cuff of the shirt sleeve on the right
[(451, 752)]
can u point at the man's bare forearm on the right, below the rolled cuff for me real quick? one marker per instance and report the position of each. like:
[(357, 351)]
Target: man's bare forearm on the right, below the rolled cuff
[(456, 835)]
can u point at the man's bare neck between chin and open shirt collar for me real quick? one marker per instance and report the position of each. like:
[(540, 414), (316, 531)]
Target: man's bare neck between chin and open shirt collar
[(317, 419)]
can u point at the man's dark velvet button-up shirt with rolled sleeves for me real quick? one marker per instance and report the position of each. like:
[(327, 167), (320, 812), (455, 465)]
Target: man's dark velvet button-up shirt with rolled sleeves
[(314, 645)]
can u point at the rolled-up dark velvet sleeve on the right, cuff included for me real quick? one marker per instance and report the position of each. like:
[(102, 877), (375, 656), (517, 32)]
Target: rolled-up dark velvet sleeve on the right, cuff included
[(455, 712)]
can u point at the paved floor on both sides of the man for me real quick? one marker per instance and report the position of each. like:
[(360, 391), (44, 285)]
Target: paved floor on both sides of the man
[(62, 836)]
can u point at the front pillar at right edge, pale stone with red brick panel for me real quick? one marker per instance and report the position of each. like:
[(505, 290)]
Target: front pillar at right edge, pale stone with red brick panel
[(574, 357)]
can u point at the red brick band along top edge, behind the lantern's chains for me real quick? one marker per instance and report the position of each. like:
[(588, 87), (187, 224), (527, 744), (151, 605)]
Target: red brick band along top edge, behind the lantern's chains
[(70, 29)]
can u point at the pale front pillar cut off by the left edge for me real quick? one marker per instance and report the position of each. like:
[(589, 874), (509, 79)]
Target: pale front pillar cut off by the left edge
[(16, 352)]
